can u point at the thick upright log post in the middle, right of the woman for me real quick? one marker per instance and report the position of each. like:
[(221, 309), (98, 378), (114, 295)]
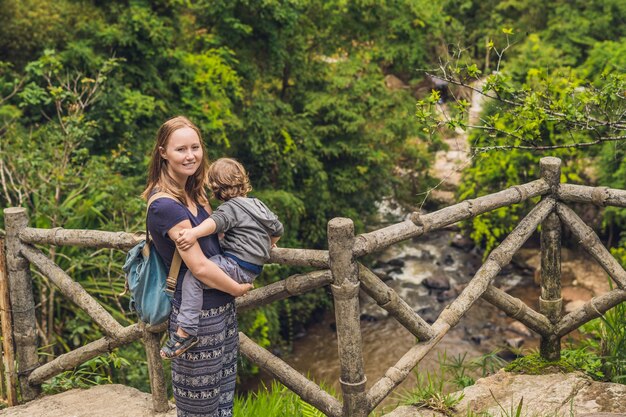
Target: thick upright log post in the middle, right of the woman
[(345, 290)]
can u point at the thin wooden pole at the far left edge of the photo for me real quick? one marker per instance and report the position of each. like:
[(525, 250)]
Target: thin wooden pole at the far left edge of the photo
[(8, 355)]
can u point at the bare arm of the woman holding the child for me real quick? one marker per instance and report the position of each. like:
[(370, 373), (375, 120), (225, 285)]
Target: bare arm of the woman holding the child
[(205, 270)]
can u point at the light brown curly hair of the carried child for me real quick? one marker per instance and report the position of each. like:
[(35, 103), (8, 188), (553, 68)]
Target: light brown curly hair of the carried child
[(228, 179)]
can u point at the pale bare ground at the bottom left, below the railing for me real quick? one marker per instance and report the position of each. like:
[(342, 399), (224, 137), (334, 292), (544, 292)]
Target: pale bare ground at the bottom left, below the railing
[(100, 401)]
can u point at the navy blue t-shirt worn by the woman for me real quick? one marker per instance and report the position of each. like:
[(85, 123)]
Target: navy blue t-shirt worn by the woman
[(165, 213)]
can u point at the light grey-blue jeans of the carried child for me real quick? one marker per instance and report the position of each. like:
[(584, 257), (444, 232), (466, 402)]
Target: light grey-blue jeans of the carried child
[(191, 297)]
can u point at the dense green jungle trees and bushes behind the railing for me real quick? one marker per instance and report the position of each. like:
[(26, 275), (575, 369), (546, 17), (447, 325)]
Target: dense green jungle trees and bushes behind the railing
[(299, 91)]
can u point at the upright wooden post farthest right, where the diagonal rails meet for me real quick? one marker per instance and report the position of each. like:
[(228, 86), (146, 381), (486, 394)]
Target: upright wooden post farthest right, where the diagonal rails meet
[(551, 302)]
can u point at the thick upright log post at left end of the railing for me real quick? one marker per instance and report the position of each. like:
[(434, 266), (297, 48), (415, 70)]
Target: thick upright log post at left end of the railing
[(22, 302)]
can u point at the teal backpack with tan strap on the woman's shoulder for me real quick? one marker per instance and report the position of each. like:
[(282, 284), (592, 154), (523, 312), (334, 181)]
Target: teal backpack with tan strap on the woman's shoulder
[(151, 288)]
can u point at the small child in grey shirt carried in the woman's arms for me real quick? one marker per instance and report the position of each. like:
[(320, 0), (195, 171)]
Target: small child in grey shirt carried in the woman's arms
[(250, 231)]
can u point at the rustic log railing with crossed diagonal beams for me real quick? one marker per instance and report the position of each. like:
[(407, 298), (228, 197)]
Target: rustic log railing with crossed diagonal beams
[(340, 269)]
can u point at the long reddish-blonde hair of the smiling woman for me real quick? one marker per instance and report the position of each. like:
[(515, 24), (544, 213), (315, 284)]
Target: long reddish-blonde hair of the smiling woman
[(159, 178)]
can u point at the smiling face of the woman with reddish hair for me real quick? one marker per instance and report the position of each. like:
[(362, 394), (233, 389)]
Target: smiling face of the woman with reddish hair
[(183, 153)]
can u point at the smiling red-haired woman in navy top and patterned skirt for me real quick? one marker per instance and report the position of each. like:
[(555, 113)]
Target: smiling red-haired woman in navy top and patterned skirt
[(203, 377)]
